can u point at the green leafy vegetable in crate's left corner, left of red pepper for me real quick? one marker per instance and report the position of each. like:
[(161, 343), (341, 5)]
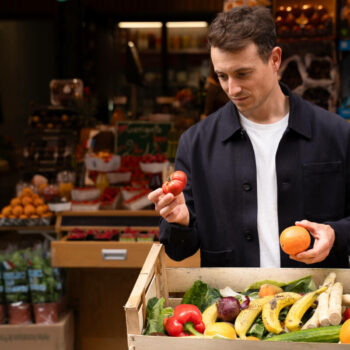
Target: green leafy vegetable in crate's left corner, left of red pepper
[(155, 314)]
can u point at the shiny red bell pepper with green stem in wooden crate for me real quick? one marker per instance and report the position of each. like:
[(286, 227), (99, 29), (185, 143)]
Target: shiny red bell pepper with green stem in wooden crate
[(186, 320)]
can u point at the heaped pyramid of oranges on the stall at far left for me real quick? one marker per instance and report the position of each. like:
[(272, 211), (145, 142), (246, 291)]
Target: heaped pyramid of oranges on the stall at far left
[(27, 209)]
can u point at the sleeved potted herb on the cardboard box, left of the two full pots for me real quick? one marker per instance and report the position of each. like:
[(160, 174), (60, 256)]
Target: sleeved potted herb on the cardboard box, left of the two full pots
[(17, 288)]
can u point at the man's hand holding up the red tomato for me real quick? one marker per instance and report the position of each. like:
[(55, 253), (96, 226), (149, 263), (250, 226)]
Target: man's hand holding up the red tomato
[(172, 209)]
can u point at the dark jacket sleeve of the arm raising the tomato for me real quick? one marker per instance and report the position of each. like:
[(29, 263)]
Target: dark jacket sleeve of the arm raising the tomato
[(179, 241)]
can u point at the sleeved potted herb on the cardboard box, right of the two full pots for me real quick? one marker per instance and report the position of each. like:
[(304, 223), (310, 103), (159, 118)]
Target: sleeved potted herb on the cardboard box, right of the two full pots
[(45, 287)]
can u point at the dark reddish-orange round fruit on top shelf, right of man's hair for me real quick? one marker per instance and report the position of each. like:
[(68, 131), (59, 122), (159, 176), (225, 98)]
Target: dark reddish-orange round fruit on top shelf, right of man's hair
[(303, 20)]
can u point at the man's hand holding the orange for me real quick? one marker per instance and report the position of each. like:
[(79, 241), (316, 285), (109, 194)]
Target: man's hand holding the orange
[(324, 239)]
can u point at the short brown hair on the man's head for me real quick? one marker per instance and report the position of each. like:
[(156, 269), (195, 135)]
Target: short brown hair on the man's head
[(235, 29)]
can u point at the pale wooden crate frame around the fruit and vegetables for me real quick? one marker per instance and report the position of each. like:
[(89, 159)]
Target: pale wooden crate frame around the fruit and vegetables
[(157, 280)]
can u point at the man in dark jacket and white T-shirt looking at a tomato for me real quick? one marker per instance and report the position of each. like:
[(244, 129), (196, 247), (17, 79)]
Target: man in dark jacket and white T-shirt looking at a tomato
[(265, 161)]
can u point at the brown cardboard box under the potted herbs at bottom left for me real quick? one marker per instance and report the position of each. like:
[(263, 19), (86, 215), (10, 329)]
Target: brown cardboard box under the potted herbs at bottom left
[(57, 336)]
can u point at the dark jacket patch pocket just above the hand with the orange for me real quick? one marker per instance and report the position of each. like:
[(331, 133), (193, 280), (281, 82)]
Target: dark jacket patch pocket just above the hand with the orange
[(324, 190)]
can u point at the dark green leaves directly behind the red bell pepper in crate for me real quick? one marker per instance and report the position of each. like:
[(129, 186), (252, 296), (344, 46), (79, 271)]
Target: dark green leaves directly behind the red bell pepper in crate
[(201, 295)]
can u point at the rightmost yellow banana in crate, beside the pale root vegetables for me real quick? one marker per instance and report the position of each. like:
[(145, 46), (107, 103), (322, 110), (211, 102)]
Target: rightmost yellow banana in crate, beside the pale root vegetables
[(298, 309)]
